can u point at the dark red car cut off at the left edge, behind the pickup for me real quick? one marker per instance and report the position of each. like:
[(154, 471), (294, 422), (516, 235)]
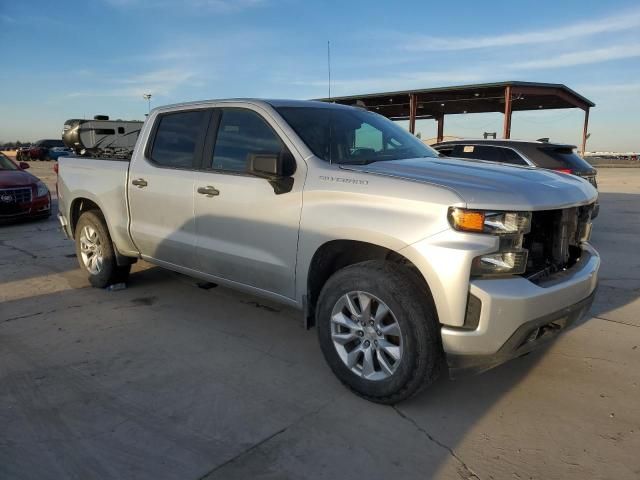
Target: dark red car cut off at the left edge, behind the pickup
[(22, 195)]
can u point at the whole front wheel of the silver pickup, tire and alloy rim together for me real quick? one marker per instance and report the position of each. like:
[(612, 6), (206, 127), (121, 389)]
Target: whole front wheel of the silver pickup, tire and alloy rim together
[(418, 344)]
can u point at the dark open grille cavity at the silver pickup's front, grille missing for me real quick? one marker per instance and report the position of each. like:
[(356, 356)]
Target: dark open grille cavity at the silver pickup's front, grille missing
[(554, 240)]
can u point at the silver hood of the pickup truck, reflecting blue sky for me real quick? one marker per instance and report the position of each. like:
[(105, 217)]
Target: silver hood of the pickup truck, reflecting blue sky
[(486, 185)]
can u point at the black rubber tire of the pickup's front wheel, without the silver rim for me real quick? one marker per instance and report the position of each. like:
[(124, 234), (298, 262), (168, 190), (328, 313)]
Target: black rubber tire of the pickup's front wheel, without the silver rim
[(411, 304)]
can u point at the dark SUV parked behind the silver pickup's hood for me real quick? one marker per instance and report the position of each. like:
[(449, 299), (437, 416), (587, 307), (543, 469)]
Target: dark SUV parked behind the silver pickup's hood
[(554, 156)]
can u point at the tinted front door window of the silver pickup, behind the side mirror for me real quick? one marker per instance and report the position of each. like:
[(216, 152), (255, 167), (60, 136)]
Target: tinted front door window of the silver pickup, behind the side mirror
[(242, 134)]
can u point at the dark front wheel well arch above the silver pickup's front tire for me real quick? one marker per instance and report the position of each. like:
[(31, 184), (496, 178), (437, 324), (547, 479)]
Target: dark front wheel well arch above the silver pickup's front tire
[(337, 254)]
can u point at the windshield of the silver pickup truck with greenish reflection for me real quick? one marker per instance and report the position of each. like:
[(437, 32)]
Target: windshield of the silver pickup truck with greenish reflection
[(354, 136)]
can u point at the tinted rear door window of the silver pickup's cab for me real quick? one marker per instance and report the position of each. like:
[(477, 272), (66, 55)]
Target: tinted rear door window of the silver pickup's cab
[(177, 138)]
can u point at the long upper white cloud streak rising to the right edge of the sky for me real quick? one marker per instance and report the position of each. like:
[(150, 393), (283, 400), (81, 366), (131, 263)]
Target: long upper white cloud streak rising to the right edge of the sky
[(615, 23)]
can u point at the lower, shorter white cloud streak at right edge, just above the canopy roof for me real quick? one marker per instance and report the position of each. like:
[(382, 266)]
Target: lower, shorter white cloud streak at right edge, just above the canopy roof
[(582, 57)]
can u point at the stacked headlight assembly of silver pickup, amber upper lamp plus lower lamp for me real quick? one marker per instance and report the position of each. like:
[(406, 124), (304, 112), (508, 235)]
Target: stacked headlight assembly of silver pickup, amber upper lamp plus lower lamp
[(511, 258)]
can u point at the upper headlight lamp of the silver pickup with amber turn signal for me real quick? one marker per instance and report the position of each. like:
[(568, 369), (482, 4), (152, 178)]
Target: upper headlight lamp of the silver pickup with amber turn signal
[(496, 223)]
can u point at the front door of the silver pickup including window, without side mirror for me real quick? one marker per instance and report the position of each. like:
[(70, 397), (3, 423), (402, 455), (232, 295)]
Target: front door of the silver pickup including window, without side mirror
[(247, 230)]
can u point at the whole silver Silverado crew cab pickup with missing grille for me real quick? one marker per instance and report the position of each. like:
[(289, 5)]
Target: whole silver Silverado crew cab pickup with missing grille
[(406, 264)]
